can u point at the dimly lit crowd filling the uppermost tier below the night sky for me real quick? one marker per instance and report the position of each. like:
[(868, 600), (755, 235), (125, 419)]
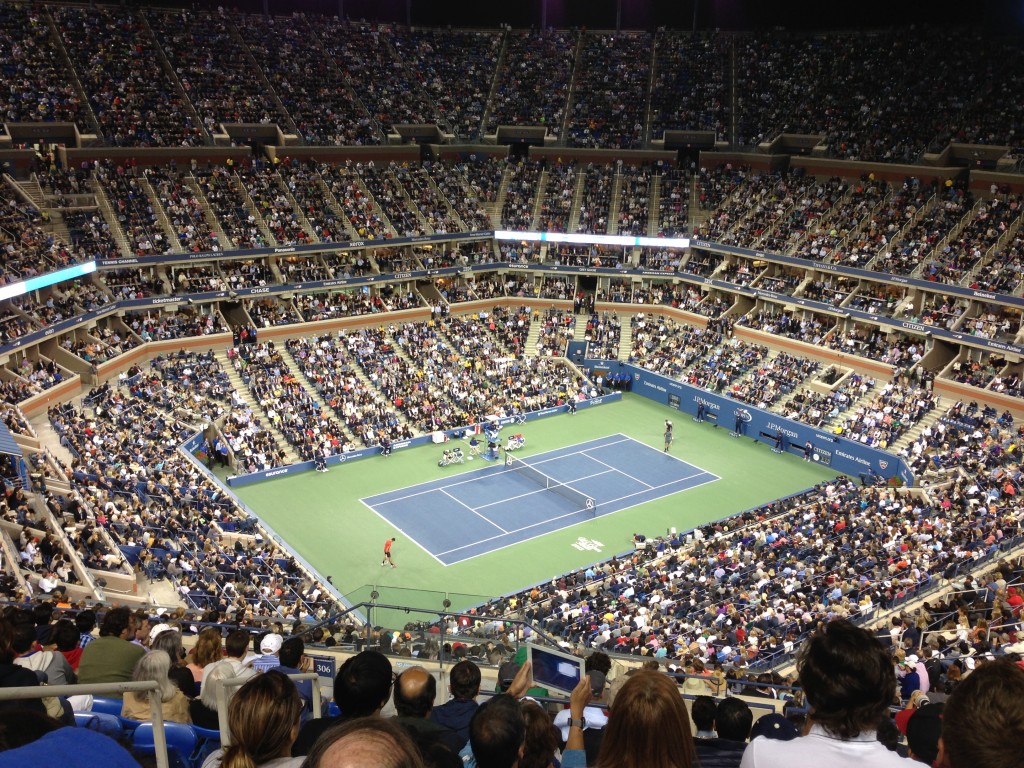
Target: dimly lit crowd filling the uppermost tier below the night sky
[(147, 77)]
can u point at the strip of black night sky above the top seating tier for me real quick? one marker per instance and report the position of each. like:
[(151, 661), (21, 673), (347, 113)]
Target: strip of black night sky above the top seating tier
[(729, 15)]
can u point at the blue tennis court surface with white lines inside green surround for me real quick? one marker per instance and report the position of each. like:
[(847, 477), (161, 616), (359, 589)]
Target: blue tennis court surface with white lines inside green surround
[(462, 517)]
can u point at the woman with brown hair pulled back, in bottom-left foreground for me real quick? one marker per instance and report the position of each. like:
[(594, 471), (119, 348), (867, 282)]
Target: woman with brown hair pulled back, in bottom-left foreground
[(264, 721)]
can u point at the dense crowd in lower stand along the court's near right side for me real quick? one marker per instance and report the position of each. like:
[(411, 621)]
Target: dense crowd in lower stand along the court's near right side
[(744, 593)]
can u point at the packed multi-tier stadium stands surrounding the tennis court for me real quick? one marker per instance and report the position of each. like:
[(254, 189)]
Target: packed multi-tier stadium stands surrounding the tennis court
[(936, 298)]
